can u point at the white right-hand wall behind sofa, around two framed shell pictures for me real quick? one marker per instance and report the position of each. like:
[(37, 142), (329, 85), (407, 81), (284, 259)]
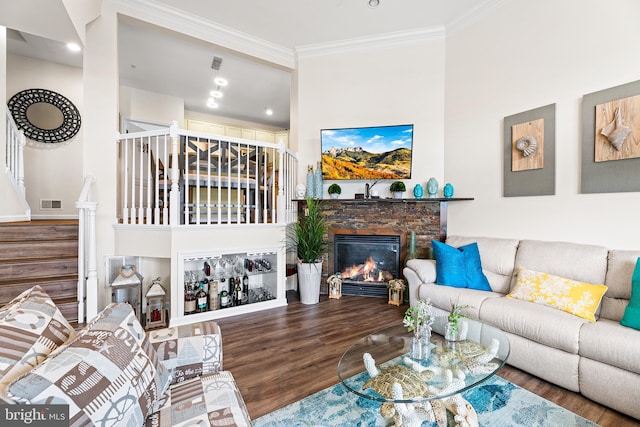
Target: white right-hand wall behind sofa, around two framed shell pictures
[(522, 56)]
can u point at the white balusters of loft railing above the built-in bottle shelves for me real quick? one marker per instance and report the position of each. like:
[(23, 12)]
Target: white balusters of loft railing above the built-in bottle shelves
[(178, 177)]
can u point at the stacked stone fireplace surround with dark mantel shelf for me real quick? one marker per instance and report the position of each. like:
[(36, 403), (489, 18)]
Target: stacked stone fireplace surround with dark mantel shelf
[(427, 217)]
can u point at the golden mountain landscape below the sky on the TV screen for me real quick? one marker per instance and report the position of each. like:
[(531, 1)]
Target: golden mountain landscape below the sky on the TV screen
[(356, 163)]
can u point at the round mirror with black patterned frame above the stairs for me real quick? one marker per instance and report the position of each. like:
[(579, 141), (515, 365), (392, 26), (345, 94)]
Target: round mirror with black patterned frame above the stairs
[(44, 115)]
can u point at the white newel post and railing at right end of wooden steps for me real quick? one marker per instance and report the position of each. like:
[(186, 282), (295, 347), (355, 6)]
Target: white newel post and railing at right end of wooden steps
[(87, 253)]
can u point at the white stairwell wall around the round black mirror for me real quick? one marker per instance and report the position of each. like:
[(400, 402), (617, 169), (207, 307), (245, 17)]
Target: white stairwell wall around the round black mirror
[(53, 172)]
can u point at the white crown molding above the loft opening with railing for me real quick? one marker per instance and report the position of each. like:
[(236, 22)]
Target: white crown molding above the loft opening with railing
[(203, 29)]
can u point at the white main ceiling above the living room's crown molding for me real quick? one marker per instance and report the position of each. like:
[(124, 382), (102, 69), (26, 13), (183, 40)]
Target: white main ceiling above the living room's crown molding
[(295, 23)]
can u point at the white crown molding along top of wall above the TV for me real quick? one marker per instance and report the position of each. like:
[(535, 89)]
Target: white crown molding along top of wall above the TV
[(395, 39)]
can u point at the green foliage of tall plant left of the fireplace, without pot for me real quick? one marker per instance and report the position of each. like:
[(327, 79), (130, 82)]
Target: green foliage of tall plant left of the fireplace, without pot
[(309, 233)]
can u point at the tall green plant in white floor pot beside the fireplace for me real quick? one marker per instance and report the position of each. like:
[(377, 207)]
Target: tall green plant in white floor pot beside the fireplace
[(309, 239)]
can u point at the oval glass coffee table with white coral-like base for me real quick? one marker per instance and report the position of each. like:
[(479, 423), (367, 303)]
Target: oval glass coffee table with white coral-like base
[(425, 388)]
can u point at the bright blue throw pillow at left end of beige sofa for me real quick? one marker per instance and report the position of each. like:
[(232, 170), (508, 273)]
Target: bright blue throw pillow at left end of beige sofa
[(459, 267)]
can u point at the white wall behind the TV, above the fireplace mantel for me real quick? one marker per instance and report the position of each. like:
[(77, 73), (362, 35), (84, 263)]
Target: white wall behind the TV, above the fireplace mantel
[(386, 86)]
